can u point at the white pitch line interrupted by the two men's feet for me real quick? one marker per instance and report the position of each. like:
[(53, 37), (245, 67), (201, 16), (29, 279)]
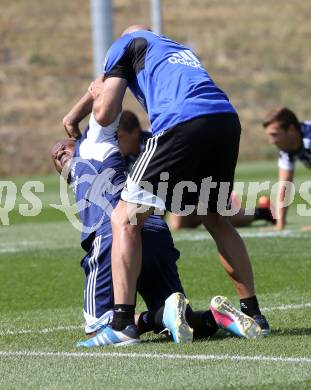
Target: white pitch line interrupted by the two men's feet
[(77, 327)]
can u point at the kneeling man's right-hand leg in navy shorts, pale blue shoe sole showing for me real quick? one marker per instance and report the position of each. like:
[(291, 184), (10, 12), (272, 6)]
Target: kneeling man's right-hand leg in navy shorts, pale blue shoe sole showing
[(159, 283)]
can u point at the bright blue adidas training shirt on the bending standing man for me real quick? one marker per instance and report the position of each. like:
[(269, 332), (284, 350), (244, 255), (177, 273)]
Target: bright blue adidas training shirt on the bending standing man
[(166, 77)]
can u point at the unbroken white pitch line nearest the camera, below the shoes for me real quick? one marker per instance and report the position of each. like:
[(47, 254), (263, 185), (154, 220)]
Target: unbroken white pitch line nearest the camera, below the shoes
[(258, 358)]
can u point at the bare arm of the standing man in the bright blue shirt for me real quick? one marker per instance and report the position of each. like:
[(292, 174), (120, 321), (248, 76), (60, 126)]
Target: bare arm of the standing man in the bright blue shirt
[(108, 97)]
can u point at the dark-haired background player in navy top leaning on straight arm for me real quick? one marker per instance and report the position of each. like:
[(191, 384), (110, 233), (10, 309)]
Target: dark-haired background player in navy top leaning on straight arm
[(293, 139)]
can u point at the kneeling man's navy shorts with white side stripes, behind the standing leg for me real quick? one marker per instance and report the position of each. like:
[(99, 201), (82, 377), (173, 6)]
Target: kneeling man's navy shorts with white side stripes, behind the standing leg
[(158, 279)]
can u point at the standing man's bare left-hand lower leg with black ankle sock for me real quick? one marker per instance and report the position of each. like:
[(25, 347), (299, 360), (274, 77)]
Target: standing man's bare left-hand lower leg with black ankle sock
[(126, 261)]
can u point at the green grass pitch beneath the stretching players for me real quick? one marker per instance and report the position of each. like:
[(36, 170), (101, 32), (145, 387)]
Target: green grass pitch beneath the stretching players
[(41, 310)]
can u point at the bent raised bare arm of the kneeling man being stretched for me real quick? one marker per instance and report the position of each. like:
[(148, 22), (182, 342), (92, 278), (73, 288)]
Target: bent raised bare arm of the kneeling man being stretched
[(78, 112)]
